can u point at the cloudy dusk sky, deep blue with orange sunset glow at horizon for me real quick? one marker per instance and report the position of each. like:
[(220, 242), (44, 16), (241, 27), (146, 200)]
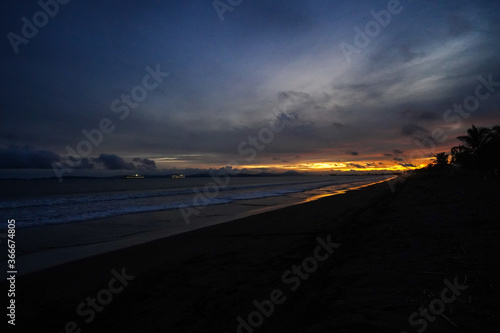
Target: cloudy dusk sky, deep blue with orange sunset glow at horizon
[(155, 86)]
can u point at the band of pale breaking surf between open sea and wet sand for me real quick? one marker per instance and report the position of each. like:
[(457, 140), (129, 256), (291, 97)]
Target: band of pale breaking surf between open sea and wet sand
[(46, 211)]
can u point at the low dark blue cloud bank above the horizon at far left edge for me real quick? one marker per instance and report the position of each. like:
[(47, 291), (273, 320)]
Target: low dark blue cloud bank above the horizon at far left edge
[(26, 158)]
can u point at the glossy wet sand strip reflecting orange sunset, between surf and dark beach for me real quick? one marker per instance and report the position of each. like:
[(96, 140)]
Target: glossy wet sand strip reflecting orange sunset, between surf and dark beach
[(88, 238)]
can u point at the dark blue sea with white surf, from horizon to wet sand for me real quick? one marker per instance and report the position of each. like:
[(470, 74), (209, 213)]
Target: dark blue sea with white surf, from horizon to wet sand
[(43, 202)]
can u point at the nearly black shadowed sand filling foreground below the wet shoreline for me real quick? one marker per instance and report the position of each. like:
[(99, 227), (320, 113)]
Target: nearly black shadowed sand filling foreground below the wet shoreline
[(396, 250)]
